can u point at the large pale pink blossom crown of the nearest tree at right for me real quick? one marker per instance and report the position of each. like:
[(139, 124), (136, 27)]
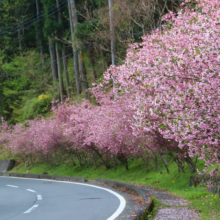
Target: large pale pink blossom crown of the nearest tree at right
[(174, 76)]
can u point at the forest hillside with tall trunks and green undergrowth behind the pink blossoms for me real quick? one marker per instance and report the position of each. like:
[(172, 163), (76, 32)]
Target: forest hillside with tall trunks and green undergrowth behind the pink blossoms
[(54, 49)]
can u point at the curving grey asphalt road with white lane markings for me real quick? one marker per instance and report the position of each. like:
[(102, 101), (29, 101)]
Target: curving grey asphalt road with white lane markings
[(33, 199)]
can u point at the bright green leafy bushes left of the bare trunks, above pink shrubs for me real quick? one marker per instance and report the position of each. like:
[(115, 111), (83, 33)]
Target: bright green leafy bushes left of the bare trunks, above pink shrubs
[(20, 88)]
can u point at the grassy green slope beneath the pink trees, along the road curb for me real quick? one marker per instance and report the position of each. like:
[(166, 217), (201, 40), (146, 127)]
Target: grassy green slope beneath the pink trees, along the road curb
[(199, 198)]
